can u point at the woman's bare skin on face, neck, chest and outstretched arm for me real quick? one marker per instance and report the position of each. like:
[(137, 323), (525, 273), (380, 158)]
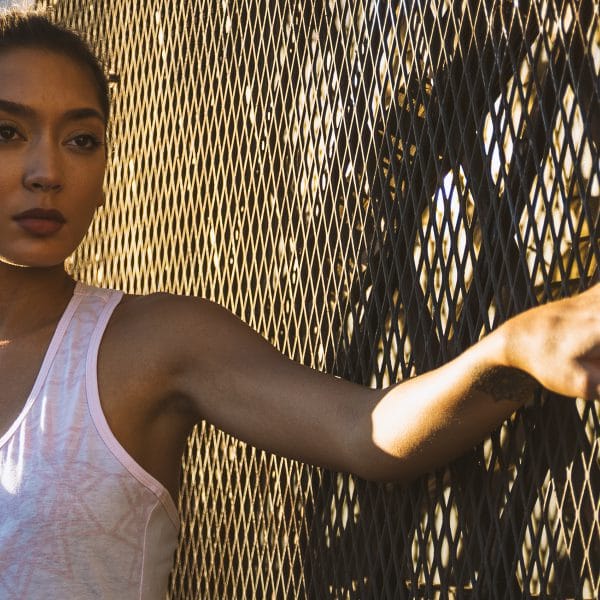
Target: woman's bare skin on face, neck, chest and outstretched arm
[(167, 362)]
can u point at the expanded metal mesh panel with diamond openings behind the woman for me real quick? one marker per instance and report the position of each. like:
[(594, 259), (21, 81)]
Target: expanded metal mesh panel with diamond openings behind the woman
[(372, 186)]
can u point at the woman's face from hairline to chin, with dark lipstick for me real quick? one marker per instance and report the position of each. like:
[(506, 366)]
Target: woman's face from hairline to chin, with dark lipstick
[(52, 156)]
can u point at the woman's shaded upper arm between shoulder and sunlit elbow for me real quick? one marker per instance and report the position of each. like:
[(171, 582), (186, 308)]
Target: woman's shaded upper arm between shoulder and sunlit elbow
[(237, 381)]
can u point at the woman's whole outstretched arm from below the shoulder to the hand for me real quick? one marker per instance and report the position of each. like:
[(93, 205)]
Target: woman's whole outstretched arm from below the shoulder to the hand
[(237, 381)]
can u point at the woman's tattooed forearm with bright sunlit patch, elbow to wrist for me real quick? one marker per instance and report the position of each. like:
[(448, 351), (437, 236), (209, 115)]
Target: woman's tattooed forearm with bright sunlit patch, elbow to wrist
[(425, 422)]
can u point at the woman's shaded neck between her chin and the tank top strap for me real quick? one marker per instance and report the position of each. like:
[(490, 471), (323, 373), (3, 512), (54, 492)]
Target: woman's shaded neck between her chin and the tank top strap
[(31, 297)]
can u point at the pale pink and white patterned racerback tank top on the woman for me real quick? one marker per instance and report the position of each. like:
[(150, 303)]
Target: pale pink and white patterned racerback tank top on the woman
[(79, 518)]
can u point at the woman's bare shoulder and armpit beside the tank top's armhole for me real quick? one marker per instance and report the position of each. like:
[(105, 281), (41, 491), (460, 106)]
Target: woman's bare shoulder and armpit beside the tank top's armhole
[(145, 350)]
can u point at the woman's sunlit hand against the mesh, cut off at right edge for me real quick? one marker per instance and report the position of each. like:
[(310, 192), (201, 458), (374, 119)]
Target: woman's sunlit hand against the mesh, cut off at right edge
[(559, 344)]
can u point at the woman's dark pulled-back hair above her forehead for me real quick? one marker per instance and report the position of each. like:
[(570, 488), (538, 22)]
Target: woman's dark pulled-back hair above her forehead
[(30, 29)]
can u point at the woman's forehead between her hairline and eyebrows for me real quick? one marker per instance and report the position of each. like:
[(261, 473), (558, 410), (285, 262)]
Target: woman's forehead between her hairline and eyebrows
[(46, 81)]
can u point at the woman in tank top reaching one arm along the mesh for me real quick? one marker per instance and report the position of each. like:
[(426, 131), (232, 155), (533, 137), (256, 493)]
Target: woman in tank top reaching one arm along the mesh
[(100, 389)]
